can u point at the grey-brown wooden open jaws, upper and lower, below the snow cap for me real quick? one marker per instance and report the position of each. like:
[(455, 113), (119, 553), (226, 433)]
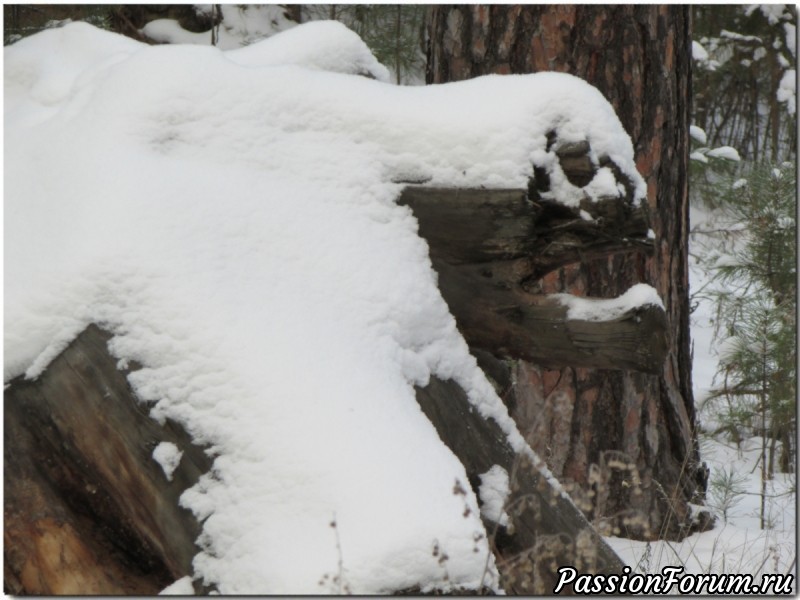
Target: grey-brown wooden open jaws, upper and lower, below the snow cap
[(485, 244)]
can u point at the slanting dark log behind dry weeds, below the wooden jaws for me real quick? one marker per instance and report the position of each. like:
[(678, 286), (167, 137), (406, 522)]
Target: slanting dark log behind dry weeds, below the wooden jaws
[(547, 530)]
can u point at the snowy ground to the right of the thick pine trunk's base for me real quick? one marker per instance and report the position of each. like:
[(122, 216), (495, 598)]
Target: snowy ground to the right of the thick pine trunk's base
[(737, 544)]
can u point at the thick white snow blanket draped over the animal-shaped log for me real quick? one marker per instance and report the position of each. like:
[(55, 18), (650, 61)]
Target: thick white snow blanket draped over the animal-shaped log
[(230, 217)]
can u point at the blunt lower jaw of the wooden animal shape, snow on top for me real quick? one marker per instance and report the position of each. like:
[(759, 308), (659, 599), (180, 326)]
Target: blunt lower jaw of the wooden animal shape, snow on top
[(512, 323)]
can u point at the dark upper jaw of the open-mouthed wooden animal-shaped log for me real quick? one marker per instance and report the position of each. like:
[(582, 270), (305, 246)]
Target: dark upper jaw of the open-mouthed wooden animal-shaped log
[(474, 226)]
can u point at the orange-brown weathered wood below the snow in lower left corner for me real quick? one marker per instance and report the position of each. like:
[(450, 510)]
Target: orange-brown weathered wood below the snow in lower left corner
[(86, 508)]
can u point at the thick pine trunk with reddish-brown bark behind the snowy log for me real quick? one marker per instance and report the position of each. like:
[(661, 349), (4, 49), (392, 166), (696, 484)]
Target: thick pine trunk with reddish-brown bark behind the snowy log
[(590, 425)]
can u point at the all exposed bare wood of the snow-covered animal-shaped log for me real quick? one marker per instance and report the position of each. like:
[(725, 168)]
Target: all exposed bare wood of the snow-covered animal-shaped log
[(88, 510)]
